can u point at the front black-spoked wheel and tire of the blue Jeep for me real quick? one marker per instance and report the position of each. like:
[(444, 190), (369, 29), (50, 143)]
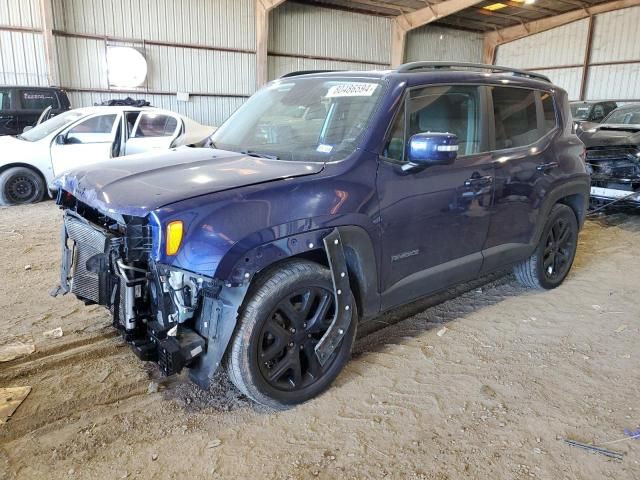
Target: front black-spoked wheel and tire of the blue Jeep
[(271, 358)]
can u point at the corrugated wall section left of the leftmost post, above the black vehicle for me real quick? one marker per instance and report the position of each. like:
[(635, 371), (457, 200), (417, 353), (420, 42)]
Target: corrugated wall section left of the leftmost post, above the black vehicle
[(22, 59)]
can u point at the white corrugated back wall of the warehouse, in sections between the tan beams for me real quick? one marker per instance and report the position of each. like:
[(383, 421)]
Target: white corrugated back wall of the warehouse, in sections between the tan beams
[(202, 47)]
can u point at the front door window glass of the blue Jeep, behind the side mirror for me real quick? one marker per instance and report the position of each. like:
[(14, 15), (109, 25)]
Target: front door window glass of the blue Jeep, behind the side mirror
[(447, 109)]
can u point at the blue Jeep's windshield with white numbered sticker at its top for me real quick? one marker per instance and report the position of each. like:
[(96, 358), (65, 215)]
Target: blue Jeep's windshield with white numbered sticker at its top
[(312, 119)]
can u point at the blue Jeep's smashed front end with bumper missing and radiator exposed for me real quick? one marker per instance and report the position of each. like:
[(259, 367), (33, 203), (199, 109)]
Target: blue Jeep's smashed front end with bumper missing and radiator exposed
[(173, 317)]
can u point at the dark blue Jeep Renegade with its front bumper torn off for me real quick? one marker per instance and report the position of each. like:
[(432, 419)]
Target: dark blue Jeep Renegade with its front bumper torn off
[(326, 199)]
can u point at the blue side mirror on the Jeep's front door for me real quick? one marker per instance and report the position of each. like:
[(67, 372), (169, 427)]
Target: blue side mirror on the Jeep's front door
[(426, 149)]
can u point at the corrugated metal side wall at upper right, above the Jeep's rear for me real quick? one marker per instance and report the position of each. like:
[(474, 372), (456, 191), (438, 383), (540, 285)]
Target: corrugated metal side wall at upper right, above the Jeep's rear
[(613, 65)]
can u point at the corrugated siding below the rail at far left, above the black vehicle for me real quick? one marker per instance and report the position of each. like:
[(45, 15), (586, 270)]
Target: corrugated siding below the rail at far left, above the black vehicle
[(22, 60)]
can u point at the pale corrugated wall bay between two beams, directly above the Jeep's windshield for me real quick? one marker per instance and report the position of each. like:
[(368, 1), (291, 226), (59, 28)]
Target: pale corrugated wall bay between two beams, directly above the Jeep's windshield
[(303, 37)]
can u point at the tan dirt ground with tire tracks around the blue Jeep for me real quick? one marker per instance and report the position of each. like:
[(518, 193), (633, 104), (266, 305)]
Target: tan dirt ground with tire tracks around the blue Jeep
[(491, 397)]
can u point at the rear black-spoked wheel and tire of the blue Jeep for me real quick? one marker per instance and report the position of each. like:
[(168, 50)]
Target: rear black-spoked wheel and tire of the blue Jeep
[(551, 261)]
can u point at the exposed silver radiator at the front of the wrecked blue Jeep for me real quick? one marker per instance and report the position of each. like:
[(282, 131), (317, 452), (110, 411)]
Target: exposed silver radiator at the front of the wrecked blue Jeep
[(88, 241)]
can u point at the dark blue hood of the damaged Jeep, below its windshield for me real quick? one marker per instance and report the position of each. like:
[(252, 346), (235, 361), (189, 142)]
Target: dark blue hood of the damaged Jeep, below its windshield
[(139, 184)]
